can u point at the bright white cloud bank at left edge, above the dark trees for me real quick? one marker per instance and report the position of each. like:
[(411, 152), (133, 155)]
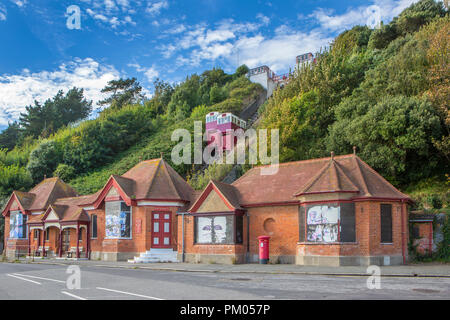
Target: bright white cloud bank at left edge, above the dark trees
[(20, 90)]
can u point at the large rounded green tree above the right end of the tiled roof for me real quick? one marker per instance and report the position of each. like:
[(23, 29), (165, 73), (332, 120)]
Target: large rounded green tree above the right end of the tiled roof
[(394, 136)]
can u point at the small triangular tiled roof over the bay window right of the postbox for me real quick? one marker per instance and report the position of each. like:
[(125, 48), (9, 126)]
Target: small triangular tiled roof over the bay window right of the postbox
[(330, 179)]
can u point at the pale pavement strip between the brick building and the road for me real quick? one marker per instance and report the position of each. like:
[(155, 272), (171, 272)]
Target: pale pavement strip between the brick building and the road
[(413, 270)]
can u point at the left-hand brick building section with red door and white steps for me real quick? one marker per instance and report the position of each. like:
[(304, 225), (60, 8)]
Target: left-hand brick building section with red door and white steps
[(132, 214)]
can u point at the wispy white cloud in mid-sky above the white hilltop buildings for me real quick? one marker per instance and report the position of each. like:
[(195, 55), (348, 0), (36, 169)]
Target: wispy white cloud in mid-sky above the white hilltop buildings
[(228, 40)]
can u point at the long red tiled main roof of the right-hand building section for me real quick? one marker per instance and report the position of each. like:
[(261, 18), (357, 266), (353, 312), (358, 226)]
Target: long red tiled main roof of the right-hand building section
[(344, 173)]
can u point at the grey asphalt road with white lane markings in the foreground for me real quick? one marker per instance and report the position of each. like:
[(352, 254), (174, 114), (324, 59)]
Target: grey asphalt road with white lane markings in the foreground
[(44, 282)]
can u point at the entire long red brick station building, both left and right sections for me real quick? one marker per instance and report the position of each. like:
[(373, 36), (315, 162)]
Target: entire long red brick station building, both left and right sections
[(330, 211)]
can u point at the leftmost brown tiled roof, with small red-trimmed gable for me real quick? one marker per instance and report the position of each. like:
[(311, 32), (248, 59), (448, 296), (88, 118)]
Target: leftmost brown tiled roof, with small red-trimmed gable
[(41, 196)]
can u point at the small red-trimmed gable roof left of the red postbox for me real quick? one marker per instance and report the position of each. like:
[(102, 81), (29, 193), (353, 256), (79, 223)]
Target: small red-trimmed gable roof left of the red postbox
[(227, 192)]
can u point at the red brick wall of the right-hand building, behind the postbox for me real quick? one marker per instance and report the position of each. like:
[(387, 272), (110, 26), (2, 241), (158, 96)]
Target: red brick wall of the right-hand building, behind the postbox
[(281, 224)]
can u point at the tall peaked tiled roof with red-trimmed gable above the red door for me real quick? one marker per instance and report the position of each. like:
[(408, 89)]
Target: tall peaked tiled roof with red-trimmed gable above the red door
[(148, 180)]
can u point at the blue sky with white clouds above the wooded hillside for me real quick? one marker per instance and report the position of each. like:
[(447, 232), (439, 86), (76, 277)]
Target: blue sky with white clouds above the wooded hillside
[(46, 46)]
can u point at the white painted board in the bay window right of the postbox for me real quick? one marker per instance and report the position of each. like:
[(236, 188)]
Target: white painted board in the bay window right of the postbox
[(323, 223)]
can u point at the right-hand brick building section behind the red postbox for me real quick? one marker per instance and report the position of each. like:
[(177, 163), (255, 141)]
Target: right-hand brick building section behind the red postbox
[(330, 211)]
